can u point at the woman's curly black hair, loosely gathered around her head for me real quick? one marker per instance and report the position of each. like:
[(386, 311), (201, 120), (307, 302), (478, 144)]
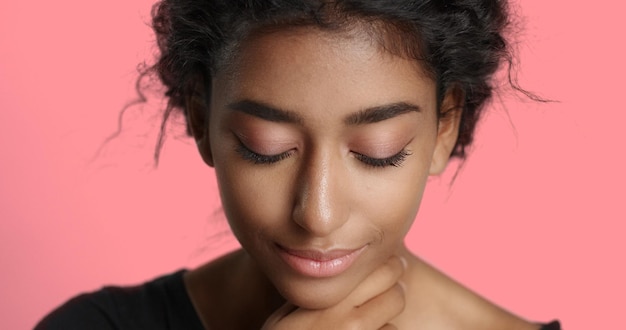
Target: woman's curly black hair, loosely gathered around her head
[(459, 43)]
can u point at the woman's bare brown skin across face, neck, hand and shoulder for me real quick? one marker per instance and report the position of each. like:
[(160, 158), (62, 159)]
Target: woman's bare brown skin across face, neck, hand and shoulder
[(322, 195)]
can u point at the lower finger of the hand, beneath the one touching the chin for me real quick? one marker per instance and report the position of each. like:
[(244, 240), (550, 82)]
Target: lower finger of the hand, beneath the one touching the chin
[(378, 311)]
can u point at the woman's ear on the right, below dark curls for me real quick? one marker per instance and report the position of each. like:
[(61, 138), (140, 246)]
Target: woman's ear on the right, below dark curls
[(448, 129)]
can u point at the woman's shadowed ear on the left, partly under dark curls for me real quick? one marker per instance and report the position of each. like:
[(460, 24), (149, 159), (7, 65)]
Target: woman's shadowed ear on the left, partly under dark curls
[(197, 108)]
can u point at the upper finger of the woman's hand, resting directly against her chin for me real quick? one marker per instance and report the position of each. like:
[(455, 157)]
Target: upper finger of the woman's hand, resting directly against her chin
[(379, 281)]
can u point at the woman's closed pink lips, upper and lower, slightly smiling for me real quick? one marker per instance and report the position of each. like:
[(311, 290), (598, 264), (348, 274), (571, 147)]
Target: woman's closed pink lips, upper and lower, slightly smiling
[(319, 264)]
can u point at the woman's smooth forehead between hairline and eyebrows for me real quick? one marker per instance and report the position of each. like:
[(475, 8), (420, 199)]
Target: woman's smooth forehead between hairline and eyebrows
[(317, 73)]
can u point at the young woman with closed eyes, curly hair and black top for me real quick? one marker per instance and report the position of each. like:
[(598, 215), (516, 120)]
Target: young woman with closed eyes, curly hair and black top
[(323, 121)]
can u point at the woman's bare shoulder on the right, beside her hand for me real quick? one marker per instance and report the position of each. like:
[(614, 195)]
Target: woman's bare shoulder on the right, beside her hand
[(435, 301)]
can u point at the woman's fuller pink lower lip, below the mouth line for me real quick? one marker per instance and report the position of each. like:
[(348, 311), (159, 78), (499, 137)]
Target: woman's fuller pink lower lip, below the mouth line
[(319, 268)]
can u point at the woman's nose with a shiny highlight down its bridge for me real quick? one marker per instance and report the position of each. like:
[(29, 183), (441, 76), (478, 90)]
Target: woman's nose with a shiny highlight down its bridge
[(320, 206)]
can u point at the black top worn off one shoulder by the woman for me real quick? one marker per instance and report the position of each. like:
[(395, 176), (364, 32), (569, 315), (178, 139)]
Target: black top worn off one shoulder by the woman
[(159, 304)]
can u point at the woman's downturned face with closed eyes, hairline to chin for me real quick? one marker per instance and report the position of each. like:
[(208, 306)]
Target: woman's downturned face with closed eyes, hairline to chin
[(322, 144)]
